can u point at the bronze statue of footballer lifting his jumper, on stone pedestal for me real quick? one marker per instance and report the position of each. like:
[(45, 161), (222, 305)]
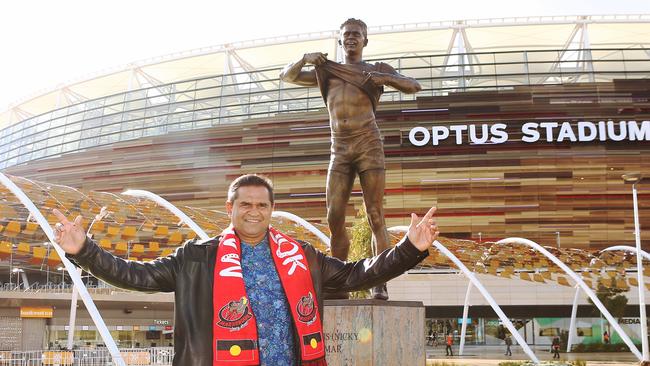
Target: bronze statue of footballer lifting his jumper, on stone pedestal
[(351, 91)]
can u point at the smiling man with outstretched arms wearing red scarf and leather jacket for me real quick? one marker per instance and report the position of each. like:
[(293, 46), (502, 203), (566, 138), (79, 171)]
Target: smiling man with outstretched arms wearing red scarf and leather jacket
[(252, 295)]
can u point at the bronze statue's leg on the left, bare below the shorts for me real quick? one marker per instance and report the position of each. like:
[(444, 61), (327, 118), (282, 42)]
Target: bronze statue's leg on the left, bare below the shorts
[(339, 187)]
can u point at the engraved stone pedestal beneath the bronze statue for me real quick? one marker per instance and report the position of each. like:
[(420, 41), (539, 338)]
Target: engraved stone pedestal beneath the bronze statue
[(374, 332)]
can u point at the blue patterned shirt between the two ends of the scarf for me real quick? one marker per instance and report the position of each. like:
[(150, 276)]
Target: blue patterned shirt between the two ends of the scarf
[(269, 303)]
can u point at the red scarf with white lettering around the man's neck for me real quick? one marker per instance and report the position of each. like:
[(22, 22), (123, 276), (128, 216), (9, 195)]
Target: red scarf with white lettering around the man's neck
[(234, 328)]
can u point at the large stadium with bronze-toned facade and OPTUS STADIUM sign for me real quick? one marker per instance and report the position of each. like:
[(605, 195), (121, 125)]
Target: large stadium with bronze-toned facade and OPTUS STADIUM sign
[(523, 128)]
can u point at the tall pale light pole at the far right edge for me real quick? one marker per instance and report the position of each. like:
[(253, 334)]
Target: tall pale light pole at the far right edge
[(634, 178)]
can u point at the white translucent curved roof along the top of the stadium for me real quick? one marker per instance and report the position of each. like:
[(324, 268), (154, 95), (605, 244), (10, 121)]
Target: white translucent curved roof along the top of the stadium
[(448, 37)]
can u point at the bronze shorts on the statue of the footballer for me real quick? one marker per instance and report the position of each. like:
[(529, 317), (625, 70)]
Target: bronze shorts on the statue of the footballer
[(357, 153)]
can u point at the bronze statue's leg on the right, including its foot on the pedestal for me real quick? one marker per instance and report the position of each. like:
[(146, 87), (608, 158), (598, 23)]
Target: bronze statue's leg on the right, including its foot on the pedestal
[(372, 183)]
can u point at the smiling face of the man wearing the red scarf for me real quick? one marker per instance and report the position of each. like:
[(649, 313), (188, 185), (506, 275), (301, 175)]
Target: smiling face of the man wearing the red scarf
[(250, 213)]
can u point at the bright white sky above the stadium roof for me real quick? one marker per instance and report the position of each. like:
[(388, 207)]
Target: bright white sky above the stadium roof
[(48, 43)]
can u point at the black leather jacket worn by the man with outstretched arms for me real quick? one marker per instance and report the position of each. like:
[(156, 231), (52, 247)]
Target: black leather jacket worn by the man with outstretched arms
[(189, 272)]
